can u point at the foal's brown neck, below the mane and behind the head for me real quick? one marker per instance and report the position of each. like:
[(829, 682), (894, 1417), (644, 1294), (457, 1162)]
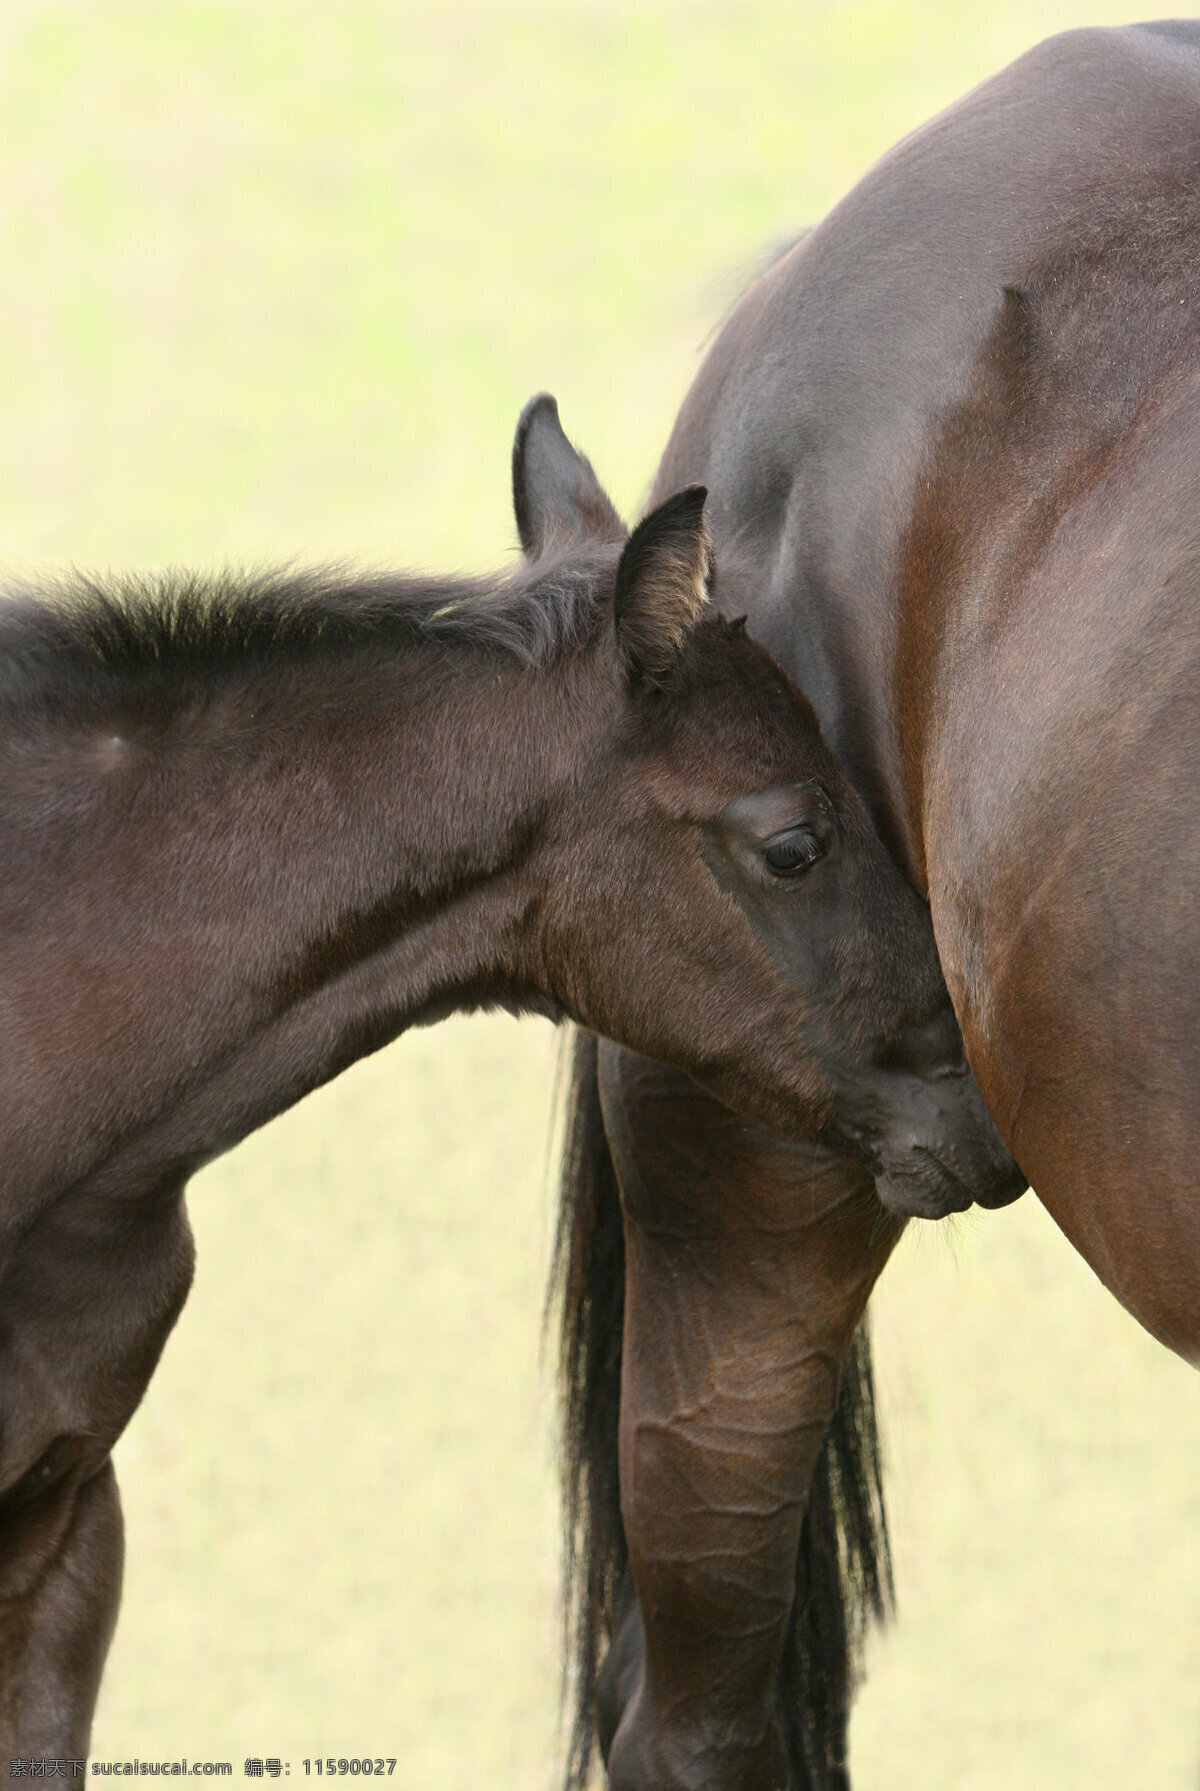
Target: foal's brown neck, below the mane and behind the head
[(232, 873)]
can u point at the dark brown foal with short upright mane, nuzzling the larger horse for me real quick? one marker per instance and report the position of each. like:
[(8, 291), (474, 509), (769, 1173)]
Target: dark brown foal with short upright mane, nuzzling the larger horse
[(255, 828)]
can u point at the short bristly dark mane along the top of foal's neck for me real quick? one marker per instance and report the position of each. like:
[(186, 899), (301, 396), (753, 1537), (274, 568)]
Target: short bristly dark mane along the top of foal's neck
[(69, 637)]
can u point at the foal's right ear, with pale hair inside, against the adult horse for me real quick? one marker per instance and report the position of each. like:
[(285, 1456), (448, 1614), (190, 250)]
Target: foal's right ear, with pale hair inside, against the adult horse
[(662, 585)]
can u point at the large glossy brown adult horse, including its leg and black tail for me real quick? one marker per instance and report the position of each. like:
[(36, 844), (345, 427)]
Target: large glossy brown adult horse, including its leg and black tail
[(952, 441)]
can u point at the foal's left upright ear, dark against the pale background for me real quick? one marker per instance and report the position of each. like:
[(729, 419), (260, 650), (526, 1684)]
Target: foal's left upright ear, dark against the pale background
[(554, 490)]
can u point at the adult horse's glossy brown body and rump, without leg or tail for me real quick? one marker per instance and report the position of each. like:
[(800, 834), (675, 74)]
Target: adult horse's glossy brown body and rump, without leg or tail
[(954, 436)]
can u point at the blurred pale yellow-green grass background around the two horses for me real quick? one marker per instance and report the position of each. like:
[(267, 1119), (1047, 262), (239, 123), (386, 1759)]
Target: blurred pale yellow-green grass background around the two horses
[(275, 284)]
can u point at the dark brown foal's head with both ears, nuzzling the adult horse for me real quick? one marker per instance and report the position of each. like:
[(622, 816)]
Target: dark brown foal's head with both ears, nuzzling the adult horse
[(717, 896)]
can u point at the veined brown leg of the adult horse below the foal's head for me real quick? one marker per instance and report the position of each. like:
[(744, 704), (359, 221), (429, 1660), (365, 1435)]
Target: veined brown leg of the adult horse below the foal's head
[(750, 1264)]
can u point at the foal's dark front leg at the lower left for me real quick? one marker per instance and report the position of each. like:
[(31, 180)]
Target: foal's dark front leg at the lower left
[(87, 1303)]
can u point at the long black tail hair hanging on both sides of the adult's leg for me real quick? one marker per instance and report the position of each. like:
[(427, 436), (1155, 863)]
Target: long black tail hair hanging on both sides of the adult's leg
[(844, 1568)]
